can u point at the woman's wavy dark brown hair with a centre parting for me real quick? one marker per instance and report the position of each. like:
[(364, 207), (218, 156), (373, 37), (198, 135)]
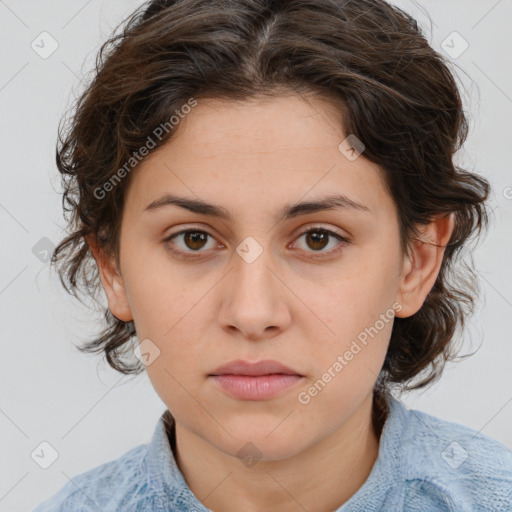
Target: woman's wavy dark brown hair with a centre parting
[(394, 92)]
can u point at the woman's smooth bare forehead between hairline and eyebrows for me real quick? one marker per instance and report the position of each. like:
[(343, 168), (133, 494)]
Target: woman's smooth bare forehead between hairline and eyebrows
[(271, 151)]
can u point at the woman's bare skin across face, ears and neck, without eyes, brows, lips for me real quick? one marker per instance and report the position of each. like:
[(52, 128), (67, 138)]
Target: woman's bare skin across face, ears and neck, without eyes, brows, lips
[(253, 158)]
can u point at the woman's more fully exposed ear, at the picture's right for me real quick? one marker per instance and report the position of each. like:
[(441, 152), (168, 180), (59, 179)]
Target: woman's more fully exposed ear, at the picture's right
[(421, 267)]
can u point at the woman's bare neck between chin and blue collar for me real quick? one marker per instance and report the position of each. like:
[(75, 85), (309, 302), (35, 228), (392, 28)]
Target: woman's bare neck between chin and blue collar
[(320, 478)]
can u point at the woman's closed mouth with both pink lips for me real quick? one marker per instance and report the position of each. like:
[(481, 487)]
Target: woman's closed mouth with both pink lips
[(255, 381)]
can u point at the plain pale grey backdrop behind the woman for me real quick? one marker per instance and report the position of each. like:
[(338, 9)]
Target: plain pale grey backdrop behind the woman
[(50, 392)]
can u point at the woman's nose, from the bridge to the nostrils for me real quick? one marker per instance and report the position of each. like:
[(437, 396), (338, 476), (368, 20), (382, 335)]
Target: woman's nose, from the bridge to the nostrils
[(254, 299)]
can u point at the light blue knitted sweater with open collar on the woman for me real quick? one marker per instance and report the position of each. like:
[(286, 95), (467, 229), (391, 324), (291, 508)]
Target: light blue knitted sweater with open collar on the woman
[(424, 464)]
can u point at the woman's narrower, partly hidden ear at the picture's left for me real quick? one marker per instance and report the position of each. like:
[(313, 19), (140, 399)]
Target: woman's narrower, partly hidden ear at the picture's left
[(112, 282)]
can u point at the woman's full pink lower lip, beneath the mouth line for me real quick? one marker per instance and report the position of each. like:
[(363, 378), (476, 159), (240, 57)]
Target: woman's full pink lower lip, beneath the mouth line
[(258, 387)]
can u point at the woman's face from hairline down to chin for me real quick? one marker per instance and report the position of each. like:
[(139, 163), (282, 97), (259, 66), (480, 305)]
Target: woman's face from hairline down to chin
[(314, 290)]
